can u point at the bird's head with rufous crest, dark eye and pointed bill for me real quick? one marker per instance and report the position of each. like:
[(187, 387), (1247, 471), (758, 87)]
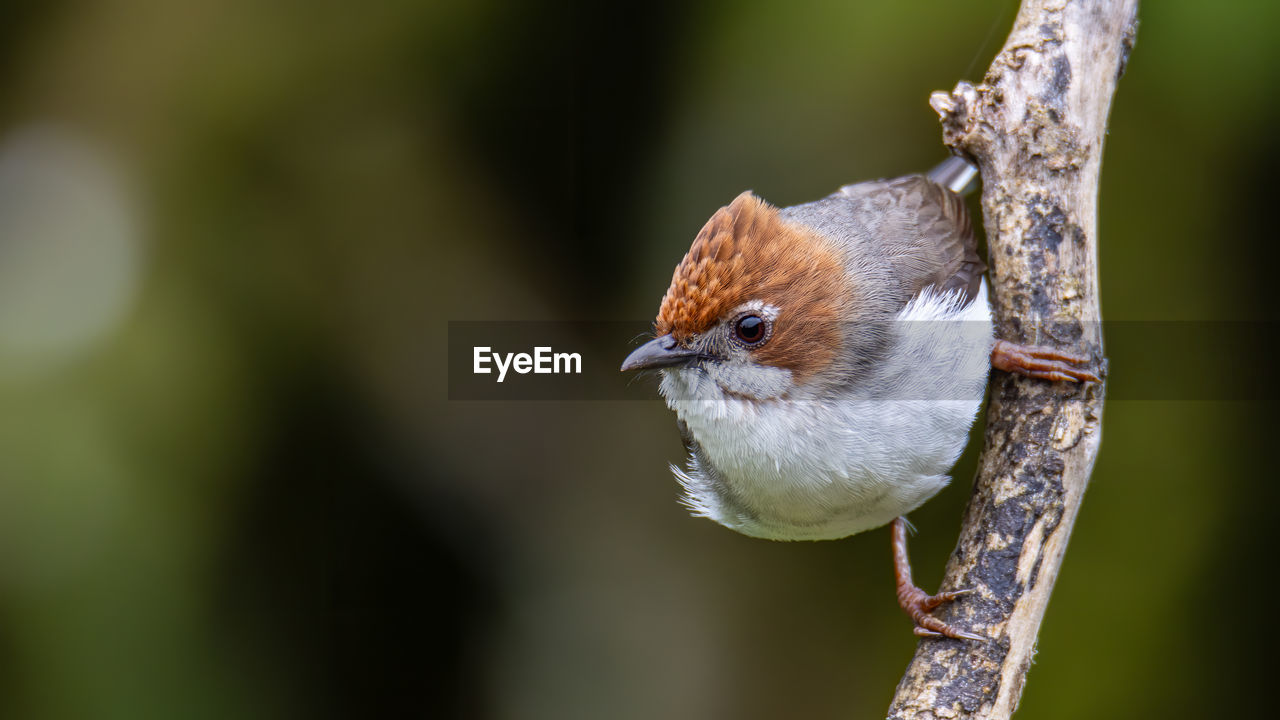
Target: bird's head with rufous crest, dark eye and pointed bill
[(757, 306)]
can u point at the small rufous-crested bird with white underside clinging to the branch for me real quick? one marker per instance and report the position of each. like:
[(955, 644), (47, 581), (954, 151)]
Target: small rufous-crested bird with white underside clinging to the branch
[(828, 361)]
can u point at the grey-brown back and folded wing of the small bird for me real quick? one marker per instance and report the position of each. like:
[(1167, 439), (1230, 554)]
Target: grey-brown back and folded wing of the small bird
[(909, 233)]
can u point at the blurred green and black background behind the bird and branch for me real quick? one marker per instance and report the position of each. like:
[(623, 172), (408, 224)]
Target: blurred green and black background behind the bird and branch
[(232, 484)]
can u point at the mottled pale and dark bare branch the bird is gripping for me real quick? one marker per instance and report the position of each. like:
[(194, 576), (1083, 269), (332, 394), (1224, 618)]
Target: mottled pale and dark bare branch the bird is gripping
[(1036, 129)]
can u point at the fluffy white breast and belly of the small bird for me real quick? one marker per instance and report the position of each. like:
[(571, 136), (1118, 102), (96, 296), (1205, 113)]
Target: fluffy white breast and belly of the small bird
[(798, 468)]
